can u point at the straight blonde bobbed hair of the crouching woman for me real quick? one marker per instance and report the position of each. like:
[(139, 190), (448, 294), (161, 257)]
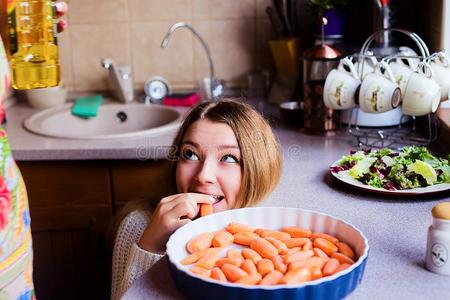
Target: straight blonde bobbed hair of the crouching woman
[(260, 151)]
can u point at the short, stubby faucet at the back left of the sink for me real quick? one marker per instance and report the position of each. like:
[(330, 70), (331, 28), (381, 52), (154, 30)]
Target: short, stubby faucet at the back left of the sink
[(122, 80)]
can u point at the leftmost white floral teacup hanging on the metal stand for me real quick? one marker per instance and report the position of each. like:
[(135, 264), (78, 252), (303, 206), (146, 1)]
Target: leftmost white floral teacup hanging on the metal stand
[(341, 85)]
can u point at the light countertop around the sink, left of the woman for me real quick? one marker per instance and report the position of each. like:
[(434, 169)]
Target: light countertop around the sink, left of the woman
[(27, 146)]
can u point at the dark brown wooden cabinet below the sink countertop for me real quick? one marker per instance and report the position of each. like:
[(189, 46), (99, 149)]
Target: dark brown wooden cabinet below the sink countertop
[(72, 203)]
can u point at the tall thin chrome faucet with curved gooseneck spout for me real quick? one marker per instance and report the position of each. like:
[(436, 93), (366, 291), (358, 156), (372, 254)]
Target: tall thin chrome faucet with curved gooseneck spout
[(213, 87)]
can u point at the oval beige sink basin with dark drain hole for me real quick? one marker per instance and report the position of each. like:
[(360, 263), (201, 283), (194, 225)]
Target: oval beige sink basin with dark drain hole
[(112, 121)]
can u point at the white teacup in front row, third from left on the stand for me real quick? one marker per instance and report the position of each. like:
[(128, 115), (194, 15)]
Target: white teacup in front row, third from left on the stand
[(422, 95)]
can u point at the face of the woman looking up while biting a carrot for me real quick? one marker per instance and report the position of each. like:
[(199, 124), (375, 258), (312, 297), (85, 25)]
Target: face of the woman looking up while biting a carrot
[(210, 163)]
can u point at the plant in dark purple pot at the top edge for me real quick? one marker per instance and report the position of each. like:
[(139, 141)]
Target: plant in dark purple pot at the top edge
[(334, 12)]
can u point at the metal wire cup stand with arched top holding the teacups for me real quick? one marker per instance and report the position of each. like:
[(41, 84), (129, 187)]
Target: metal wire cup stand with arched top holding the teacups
[(397, 136)]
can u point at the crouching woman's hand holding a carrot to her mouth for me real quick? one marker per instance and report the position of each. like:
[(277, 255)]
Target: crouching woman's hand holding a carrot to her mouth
[(171, 213)]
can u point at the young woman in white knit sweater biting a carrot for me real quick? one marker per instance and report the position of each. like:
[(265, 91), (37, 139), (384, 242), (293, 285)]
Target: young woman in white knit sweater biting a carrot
[(224, 154)]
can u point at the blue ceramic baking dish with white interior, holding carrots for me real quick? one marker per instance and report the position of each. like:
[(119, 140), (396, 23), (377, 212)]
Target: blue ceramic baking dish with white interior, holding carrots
[(336, 286)]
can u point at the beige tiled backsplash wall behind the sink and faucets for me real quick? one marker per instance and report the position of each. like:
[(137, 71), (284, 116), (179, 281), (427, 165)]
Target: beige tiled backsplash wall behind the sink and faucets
[(130, 32)]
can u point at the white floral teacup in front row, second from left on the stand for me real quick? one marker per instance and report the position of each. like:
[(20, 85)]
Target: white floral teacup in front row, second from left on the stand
[(379, 93)]
